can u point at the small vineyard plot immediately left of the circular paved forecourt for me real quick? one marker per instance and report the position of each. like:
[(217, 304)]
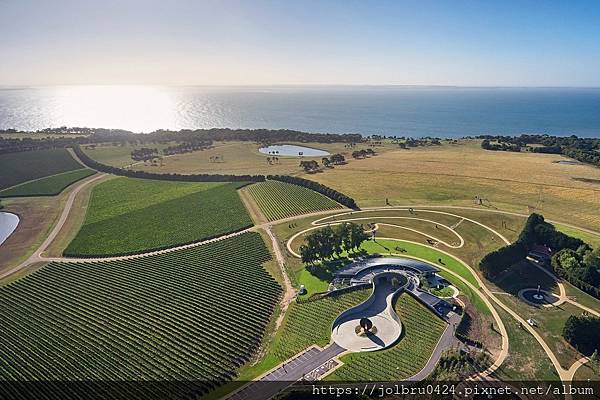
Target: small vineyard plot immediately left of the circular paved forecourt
[(311, 322)]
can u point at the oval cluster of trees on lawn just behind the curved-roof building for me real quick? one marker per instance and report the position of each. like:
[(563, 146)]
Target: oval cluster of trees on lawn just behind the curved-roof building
[(326, 242)]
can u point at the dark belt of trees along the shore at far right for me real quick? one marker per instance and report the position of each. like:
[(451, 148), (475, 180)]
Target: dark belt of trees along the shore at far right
[(586, 150)]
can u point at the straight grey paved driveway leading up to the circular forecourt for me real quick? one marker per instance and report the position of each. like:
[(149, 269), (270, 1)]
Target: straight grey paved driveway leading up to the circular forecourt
[(287, 374)]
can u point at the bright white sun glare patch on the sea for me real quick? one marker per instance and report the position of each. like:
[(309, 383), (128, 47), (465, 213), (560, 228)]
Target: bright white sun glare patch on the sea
[(134, 108)]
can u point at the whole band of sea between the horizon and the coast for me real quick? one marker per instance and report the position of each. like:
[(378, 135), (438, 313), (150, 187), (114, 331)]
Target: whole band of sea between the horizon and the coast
[(387, 110)]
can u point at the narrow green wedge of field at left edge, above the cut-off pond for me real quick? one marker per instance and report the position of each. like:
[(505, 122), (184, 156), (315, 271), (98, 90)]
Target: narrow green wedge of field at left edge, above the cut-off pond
[(48, 186)]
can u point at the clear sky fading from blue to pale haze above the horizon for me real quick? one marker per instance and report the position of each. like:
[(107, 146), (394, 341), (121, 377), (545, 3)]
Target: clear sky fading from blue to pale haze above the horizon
[(324, 42)]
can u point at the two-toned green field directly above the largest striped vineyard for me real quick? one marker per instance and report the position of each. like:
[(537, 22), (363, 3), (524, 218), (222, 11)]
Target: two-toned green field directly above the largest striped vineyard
[(127, 216)]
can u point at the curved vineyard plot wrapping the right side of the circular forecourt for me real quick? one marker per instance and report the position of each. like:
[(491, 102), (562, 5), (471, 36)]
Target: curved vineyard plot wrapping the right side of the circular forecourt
[(421, 332)]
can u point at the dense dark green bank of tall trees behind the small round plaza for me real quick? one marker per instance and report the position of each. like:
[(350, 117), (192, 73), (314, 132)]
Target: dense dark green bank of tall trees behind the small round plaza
[(535, 231)]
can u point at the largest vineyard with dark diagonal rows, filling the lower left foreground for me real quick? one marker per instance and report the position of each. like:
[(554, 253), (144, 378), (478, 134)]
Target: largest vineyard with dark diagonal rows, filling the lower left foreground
[(193, 315)]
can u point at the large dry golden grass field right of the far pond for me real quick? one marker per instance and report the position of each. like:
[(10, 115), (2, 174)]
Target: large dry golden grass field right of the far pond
[(455, 174)]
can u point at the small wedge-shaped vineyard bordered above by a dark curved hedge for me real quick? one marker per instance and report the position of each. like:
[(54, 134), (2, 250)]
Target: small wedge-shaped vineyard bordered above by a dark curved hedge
[(279, 200)]
